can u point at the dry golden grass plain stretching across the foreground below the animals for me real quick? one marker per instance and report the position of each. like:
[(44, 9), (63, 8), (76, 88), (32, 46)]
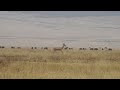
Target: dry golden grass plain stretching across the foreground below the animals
[(43, 64)]
